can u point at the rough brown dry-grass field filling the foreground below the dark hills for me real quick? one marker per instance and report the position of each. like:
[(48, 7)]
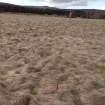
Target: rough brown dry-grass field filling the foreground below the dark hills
[(47, 60)]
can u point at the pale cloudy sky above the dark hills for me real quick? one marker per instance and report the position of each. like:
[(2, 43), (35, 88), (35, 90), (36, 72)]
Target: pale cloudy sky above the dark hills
[(89, 4)]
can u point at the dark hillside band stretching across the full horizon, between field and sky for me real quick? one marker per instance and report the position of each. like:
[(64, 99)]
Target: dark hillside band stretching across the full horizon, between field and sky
[(83, 13)]
